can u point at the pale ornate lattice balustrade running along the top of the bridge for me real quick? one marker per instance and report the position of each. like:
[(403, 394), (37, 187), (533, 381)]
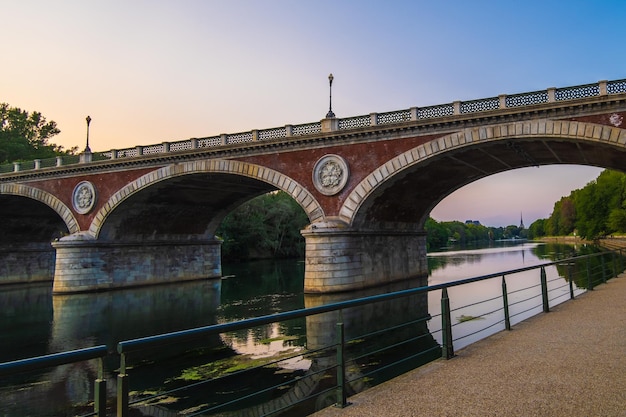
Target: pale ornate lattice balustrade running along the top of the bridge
[(550, 95)]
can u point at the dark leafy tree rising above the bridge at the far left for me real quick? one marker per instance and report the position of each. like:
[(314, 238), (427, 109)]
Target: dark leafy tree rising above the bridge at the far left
[(25, 135)]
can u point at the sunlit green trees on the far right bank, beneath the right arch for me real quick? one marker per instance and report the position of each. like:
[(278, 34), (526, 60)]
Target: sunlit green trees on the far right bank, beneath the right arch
[(596, 210)]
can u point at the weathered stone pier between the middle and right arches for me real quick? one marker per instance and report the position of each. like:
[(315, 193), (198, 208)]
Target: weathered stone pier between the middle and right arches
[(341, 258)]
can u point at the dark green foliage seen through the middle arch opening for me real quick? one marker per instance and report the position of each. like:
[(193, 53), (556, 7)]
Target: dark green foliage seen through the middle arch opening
[(267, 226)]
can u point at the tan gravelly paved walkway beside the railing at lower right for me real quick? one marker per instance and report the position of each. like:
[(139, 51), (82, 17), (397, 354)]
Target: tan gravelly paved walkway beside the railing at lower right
[(570, 362)]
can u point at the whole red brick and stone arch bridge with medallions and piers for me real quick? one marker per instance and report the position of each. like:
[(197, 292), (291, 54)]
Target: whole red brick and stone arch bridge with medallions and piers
[(148, 214)]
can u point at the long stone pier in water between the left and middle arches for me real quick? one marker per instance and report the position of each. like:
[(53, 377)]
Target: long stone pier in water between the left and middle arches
[(86, 264)]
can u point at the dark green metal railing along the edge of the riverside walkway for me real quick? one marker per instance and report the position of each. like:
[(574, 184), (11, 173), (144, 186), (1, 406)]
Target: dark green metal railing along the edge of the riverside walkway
[(350, 354)]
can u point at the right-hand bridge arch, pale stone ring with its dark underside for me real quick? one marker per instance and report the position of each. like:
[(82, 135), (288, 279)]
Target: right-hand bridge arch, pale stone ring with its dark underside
[(441, 166)]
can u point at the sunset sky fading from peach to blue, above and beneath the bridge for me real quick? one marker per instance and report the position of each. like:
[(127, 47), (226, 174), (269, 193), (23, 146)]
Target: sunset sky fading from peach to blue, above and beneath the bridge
[(154, 71)]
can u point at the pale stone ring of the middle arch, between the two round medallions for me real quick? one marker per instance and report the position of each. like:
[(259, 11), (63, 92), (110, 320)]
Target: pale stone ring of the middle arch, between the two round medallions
[(280, 181)]
